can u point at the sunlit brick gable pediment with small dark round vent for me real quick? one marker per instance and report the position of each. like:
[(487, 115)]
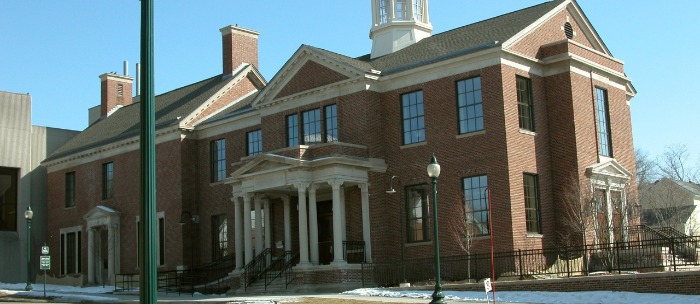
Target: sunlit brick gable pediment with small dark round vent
[(544, 31)]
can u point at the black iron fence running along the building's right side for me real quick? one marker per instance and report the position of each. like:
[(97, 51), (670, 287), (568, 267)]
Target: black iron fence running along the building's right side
[(642, 254)]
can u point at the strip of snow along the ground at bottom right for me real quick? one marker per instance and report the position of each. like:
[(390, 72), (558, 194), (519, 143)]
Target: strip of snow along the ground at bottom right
[(540, 297)]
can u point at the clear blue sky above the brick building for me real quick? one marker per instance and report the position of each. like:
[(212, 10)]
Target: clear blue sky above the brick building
[(55, 50)]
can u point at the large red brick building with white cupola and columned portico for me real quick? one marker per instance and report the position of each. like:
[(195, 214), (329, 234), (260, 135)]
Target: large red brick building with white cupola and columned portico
[(519, 105)]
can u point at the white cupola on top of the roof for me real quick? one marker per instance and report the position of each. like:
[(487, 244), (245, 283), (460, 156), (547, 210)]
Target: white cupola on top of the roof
[(397, 24)]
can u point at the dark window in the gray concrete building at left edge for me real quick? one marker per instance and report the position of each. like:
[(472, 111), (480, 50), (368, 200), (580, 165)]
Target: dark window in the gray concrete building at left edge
[(8, 198)]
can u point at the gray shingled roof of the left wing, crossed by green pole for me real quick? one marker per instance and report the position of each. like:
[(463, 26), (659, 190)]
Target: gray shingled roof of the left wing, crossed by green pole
[(125, 122)]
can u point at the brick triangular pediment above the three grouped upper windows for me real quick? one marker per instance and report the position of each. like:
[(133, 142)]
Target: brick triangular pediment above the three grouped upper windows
[(308, 71)]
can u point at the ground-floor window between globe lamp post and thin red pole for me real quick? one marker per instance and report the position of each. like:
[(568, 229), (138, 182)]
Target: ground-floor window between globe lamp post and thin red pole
[(476, 205)]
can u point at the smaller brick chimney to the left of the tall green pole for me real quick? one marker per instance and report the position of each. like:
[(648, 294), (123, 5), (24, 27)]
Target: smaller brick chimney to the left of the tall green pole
[(116, 91)]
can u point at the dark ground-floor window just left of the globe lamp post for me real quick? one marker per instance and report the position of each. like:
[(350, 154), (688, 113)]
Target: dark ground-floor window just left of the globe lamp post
[(417, 213)]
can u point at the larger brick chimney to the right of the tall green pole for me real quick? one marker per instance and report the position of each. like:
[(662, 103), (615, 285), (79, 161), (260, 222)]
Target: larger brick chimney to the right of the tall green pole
[(239, 46)]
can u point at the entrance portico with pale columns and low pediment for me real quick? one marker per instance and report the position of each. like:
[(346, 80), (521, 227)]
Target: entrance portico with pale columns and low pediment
[(274, 179)]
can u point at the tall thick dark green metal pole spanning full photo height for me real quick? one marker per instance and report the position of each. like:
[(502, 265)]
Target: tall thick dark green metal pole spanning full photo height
[(147, 252)]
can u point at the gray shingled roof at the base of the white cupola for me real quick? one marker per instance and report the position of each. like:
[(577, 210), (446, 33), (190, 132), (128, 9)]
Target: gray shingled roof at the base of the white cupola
[(470, 38)]
